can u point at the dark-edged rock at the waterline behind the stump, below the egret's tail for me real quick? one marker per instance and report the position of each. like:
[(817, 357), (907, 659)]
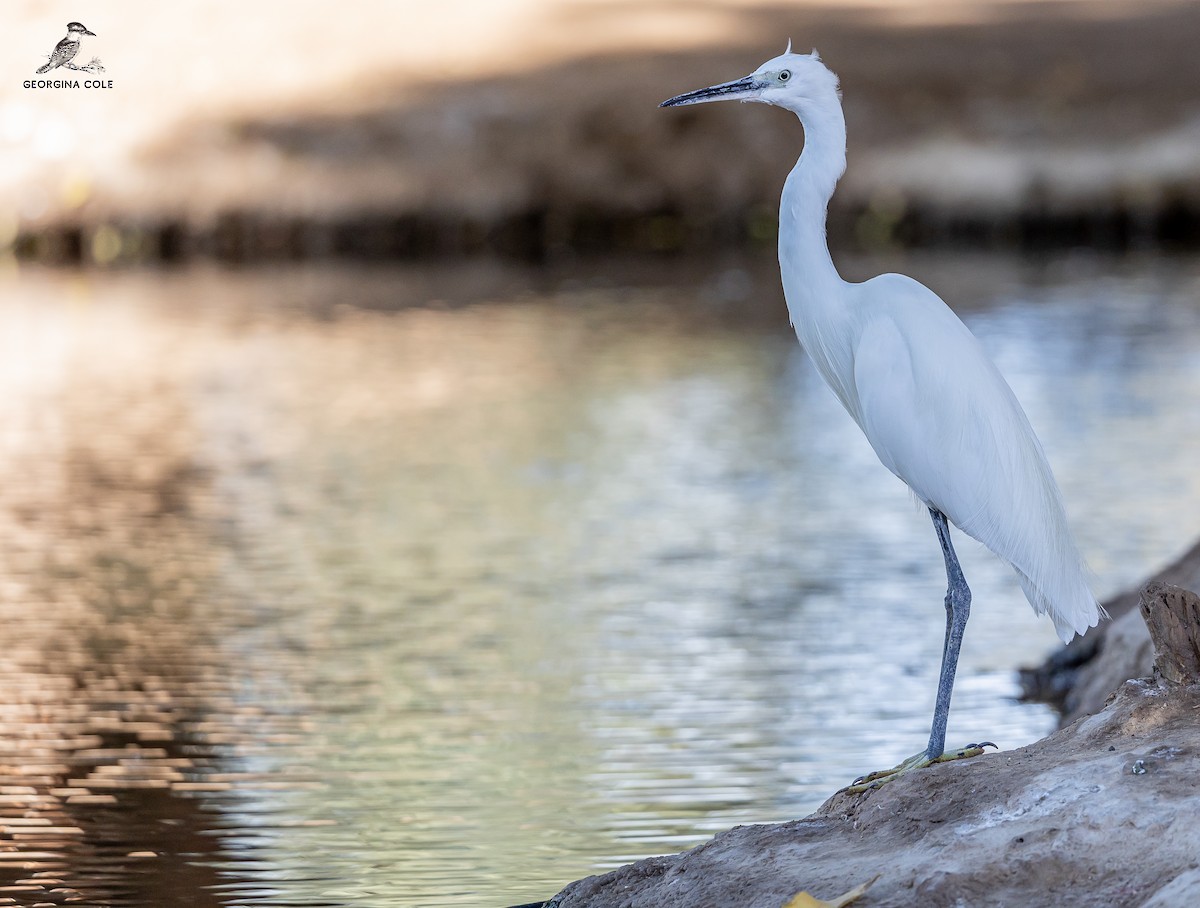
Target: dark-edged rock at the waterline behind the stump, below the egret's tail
[(1078, 678)]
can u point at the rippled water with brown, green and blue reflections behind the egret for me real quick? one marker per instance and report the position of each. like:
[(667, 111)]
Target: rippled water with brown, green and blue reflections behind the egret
[(447, 587)]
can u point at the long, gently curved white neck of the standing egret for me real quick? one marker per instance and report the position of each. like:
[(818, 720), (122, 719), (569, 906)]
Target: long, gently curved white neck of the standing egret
[(803, 250)]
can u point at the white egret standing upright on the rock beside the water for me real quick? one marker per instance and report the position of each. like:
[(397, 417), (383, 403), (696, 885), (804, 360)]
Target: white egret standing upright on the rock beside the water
[(921, 388)]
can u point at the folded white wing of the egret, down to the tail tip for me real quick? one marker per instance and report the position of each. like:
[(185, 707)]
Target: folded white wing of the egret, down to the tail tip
[(941, 418)]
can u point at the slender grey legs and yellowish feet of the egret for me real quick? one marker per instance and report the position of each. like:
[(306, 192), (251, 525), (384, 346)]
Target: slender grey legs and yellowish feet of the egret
[(958, 610)]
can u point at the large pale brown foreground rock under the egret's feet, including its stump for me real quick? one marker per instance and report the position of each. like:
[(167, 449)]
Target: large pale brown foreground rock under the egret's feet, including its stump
[(1101, 813)]
